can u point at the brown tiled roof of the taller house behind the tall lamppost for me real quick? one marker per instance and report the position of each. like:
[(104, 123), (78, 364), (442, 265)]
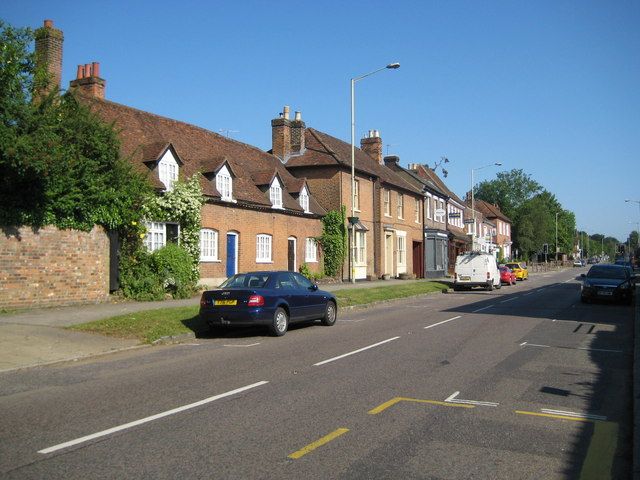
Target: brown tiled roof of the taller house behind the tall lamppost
[(324, 150)]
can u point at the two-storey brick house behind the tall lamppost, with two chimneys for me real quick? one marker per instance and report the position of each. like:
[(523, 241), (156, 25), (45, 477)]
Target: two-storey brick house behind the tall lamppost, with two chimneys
[(388, 231)]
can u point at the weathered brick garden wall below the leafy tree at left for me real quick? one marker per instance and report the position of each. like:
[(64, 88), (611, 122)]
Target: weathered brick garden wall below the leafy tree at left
[(52, 267)]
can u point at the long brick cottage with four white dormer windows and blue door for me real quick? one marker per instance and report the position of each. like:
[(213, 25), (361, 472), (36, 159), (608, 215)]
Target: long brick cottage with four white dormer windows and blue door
[(257, 216)]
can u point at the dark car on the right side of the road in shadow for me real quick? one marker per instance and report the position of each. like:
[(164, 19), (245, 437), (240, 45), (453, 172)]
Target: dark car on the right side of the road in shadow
[(608, 282)]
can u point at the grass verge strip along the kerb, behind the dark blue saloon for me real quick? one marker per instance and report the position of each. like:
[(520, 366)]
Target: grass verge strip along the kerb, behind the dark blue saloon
[(149, 325)]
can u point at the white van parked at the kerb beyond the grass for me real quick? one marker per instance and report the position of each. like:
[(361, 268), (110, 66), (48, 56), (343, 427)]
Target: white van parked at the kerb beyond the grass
[(476, 269)]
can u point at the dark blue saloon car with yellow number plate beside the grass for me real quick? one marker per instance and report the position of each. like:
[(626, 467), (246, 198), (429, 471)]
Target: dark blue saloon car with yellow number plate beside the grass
[(273, 299)]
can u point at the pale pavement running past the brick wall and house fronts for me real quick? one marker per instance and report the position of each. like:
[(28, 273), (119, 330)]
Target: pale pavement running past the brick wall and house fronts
[(37, 337)]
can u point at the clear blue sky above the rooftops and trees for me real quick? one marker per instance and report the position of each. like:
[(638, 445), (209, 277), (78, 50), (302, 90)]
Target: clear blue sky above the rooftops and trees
[(551, 87)]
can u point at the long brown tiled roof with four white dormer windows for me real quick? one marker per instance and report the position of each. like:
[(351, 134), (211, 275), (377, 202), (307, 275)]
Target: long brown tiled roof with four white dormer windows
[(145, 136)]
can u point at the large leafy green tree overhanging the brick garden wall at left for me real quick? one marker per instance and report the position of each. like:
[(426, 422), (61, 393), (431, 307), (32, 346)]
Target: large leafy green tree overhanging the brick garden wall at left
[(60, 164)]
